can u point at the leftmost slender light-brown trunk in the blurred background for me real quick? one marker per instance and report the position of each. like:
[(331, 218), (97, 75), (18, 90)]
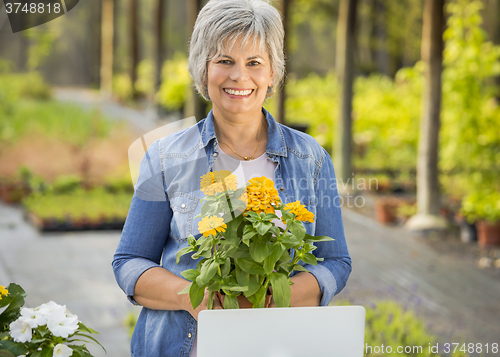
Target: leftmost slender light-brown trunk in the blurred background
[(107, 47)]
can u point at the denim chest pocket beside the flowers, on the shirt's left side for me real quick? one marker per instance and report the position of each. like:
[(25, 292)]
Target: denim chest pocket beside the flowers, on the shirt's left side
[(183, 207)]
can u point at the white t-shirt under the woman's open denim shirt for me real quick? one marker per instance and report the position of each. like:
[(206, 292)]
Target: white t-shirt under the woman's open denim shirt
[(244, 171)]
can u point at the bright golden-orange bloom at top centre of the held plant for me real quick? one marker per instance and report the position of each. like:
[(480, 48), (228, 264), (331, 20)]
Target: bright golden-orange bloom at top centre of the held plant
[(261, 195)]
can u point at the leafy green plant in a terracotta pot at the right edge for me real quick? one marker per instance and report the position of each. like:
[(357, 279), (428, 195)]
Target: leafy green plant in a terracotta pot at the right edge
[(483, 207)]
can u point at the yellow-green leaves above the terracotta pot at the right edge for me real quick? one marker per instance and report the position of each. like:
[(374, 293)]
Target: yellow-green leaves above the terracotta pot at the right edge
[(483, 204)]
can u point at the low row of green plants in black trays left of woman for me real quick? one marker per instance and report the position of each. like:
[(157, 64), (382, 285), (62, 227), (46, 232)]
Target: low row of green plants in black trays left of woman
[(94, 204)]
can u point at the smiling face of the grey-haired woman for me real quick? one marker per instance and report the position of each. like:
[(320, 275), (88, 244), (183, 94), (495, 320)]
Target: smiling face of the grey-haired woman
[(238, 80)]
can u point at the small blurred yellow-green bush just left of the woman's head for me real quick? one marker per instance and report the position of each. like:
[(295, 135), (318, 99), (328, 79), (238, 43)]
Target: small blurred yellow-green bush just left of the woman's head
[(175, 83)]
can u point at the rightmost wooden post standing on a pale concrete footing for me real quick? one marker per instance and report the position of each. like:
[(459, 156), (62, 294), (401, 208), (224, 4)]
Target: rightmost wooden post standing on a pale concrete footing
[(428, 200)]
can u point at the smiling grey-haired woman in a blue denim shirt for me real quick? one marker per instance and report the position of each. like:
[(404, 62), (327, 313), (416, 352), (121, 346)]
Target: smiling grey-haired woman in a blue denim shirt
[(236, 60)]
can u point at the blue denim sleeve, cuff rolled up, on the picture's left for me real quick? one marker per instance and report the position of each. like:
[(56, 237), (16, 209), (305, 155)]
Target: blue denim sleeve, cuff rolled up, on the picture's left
[(147, 225)]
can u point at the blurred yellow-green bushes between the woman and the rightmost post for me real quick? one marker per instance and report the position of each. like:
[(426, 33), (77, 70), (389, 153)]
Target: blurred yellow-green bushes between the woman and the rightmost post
[(385, 116)]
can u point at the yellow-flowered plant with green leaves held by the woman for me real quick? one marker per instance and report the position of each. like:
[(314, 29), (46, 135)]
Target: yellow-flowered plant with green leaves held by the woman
[(243, 251)]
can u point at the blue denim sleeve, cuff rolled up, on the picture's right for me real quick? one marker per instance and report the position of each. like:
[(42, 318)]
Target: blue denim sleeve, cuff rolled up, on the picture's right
[(333, 272)]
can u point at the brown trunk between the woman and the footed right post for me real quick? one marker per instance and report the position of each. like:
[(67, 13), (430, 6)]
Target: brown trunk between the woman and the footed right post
[(345, 73)]
